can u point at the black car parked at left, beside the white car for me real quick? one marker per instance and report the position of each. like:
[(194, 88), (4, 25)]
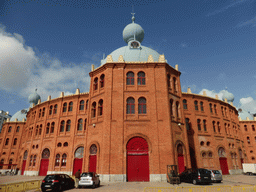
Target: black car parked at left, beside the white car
[(57, 182)]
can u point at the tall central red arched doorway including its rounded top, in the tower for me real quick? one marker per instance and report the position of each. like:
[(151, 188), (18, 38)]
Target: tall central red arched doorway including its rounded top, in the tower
[(137, 160)]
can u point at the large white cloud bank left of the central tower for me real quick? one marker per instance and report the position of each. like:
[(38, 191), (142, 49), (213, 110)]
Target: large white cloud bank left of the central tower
[(22, 70)]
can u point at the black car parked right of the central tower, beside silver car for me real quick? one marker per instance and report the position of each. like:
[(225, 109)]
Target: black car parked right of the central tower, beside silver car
[(196, 176)]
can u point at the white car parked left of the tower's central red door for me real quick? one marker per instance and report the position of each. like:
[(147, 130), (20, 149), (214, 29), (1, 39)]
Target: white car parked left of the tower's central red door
[(89, 179)]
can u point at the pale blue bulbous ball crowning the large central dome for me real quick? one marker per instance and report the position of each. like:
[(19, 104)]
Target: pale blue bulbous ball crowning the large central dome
[(131, 30)]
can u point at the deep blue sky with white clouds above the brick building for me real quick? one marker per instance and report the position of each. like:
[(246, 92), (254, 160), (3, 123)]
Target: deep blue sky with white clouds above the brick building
[(50, 45)]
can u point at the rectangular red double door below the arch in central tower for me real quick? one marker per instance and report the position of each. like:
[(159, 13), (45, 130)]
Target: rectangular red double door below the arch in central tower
[(138, 167)]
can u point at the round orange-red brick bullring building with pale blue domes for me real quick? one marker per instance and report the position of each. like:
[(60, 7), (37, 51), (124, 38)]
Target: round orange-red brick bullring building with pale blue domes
[(134, 121)]
